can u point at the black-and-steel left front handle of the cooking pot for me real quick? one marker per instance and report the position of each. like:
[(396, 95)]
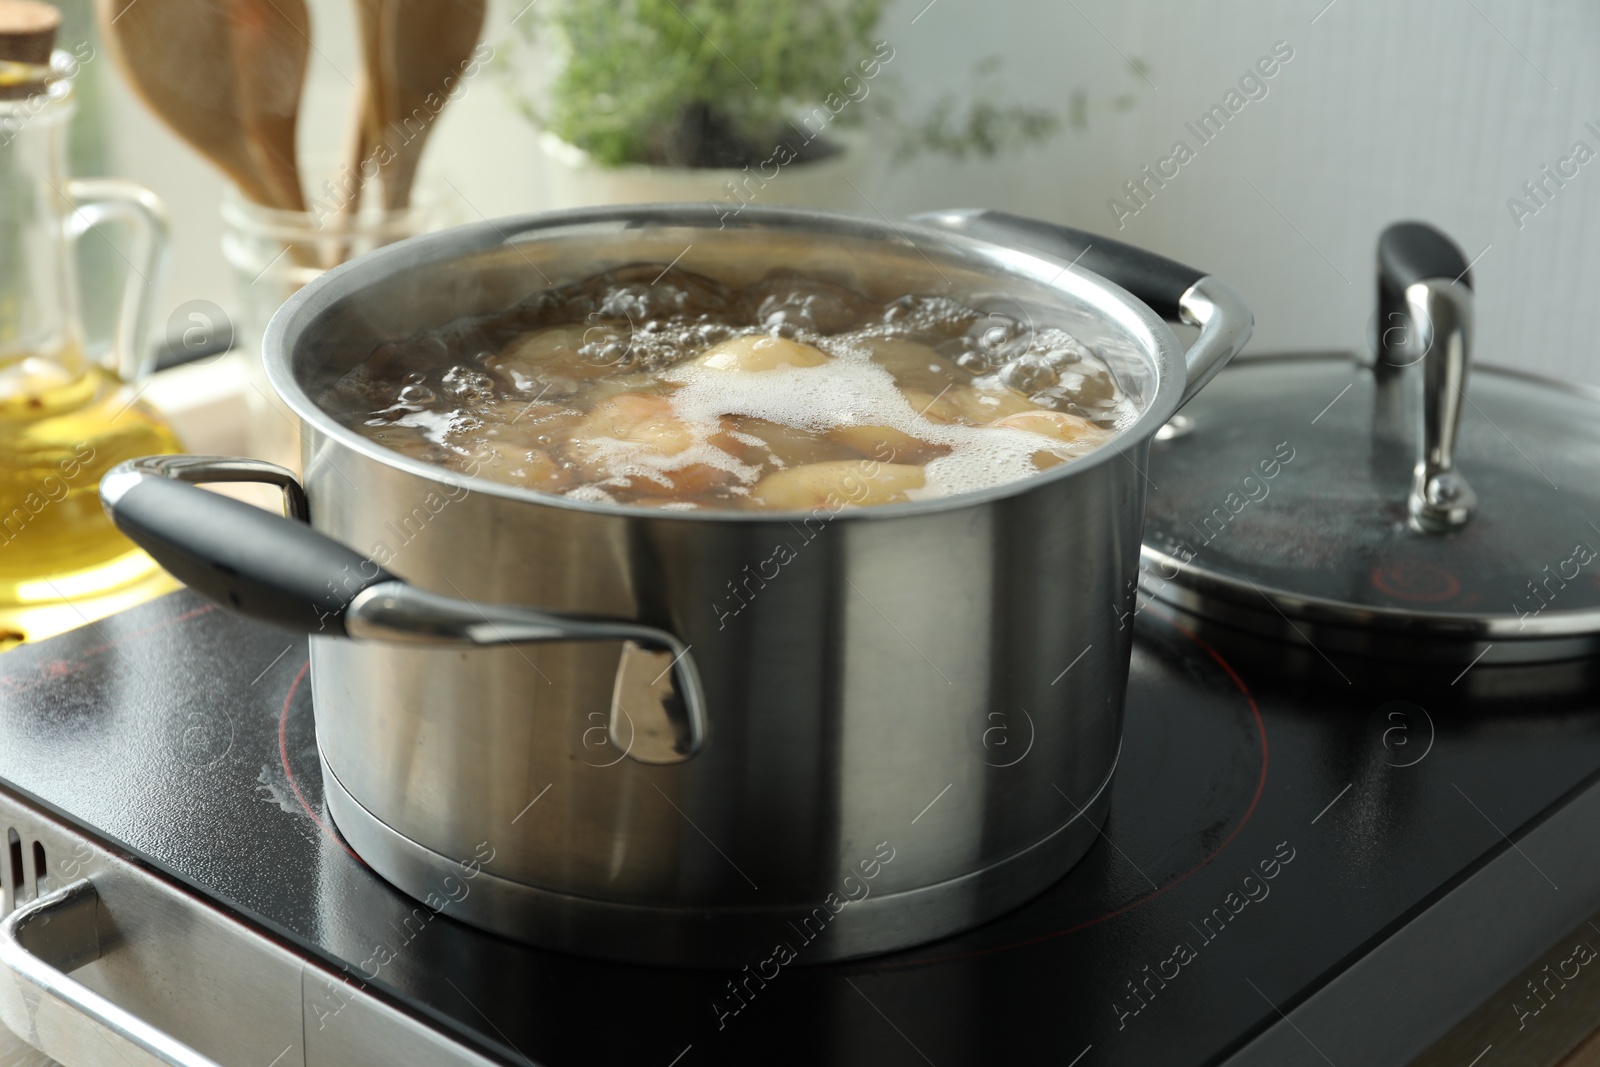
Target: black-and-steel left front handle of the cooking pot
[(279, 570)]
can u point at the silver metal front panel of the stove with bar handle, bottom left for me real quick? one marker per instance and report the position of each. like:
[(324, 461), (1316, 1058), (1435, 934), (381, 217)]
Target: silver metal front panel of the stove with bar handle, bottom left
[(162, 977)]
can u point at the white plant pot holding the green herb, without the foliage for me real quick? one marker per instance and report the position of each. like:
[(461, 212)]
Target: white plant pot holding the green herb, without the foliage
[(574, 180)]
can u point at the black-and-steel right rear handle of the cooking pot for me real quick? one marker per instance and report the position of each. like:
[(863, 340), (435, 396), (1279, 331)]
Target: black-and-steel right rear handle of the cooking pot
[(1170, 289)]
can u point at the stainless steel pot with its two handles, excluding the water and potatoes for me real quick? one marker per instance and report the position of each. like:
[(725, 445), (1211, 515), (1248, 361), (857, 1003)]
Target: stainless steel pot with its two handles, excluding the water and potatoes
[(842, 732)]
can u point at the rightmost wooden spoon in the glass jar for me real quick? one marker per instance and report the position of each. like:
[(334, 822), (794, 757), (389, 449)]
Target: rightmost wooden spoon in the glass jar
[(422, 46)]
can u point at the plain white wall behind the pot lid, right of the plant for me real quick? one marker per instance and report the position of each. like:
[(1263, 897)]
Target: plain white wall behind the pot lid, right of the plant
[(1390, 111)]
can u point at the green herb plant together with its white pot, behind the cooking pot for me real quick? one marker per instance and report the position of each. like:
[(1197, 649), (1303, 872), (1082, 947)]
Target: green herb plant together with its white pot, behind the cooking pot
[(734, 102)]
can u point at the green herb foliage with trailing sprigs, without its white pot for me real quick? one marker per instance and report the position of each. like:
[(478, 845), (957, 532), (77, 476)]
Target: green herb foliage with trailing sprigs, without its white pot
[(724, 82)]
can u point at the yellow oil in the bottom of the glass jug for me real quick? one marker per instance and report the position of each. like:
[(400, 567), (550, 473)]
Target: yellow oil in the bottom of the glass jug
[(62, 561)]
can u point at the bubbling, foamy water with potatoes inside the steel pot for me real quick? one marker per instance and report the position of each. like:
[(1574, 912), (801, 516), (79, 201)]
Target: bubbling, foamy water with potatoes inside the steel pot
[(670, 390)]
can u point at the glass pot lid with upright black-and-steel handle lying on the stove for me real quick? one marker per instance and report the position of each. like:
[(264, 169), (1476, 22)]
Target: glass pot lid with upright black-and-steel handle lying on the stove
[(1374, 505)]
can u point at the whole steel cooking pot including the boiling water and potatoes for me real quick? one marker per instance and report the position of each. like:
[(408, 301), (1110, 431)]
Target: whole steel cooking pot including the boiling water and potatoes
[(662, 661)]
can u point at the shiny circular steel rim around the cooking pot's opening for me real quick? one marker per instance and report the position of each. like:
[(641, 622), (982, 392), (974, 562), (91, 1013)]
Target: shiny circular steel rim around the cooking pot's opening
[(1159, 346)]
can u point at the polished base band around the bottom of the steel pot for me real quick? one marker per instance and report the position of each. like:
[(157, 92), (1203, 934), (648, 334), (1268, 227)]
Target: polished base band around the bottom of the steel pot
[(724, 937)]
